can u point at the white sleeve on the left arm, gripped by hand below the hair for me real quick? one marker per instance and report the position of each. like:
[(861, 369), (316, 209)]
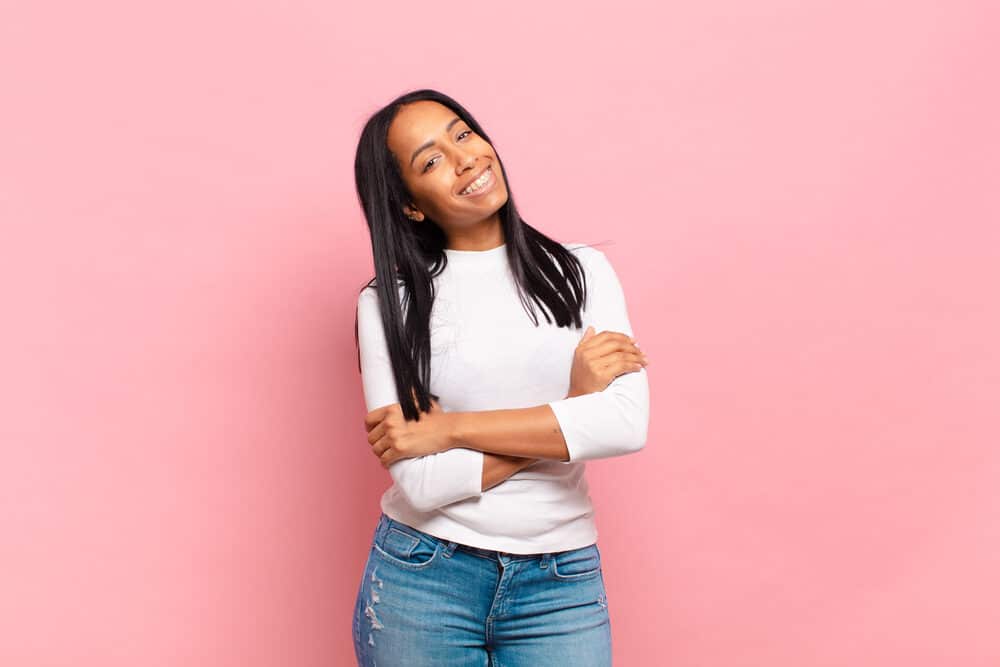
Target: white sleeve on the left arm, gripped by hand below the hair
[(430, 481)]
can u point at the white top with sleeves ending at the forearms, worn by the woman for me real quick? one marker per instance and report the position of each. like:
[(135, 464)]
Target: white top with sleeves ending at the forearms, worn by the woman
[(487, 354)]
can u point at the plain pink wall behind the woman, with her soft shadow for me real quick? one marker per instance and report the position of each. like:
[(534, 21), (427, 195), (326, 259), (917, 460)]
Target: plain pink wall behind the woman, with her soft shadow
[(803, 200)]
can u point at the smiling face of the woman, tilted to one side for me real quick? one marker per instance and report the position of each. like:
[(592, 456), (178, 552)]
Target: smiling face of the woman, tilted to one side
[(439, 157)]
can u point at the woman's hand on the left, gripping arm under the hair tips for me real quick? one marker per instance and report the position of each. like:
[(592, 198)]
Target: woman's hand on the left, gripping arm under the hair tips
[(392, 437)]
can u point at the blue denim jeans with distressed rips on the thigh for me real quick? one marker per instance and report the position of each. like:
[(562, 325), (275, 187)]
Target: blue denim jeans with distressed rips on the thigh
[(425, 601)]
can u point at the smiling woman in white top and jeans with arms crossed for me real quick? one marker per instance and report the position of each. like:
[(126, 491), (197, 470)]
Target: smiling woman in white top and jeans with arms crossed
[(485, 551)]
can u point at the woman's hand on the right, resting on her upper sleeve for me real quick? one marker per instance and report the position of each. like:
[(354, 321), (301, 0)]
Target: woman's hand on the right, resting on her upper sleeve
[(600, 358)]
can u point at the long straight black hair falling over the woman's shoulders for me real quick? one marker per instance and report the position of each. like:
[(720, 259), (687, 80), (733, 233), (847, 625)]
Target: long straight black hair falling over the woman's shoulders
[(411, 255)]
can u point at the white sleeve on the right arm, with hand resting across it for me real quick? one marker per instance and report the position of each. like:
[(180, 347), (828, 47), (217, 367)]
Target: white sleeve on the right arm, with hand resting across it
[(612, 422)]
